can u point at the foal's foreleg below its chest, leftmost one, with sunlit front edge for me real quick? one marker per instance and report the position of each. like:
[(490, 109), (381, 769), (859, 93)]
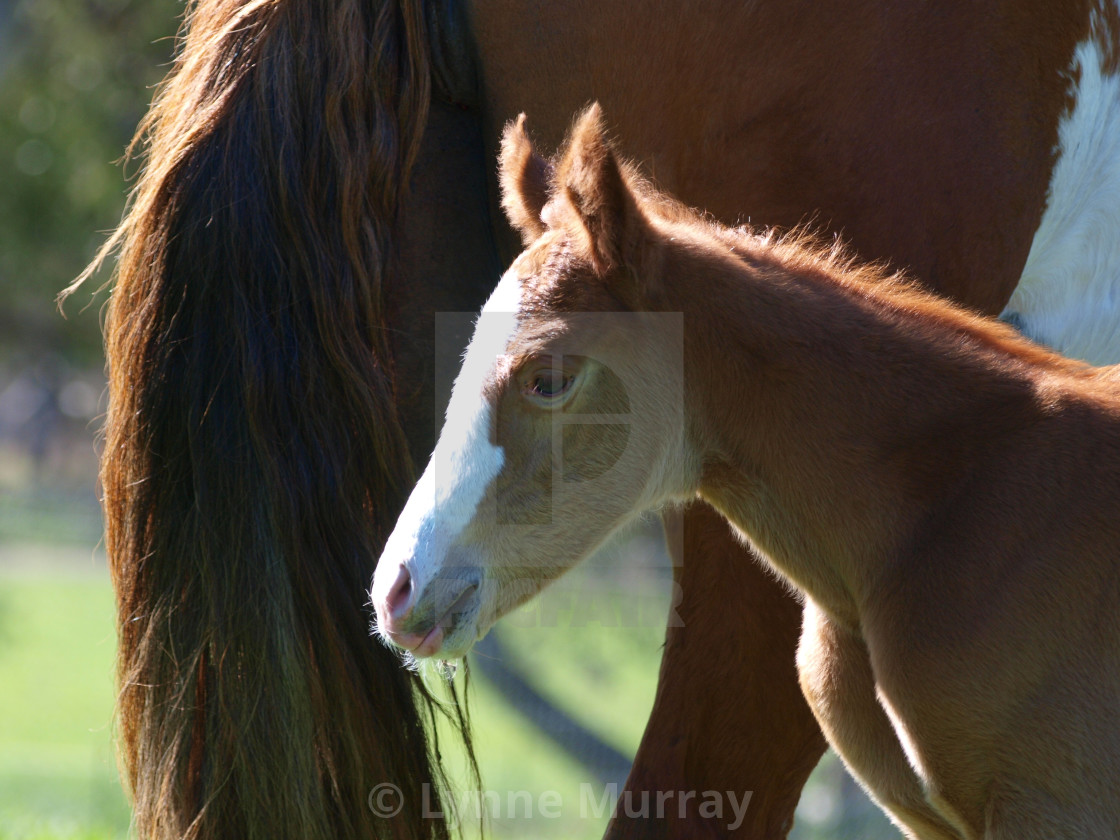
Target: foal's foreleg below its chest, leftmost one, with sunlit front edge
[(836, 676)]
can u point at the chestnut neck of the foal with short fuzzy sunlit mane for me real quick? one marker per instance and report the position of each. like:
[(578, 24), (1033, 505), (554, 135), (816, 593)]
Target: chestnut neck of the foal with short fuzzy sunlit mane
[(836, 408)]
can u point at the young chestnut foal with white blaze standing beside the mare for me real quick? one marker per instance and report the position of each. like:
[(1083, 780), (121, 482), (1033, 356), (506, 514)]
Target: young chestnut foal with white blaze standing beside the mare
[(944, 493)]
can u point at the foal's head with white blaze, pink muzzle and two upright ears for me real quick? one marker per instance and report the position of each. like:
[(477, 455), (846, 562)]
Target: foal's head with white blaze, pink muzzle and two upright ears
[(567, 418)]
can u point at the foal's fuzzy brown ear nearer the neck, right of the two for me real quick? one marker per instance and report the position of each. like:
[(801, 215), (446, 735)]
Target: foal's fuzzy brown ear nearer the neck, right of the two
[(591, 181)]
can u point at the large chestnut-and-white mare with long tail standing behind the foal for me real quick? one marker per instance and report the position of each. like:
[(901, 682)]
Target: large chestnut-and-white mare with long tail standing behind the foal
[(269, 338)]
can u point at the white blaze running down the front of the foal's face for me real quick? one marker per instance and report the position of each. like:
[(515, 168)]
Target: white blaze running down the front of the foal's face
[(464, 463)]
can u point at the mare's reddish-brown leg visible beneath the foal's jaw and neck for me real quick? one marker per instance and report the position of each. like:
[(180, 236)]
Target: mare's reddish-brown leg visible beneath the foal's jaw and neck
[(729, 715)]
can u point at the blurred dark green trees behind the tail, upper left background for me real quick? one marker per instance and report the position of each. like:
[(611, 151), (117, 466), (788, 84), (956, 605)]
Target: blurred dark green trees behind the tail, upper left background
[(76, 78)]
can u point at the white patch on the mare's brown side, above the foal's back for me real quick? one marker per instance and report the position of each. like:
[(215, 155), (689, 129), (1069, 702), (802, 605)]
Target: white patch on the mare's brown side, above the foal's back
[(1069, 296)]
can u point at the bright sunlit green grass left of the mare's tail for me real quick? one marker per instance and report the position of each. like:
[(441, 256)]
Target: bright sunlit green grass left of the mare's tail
[(58, 771)]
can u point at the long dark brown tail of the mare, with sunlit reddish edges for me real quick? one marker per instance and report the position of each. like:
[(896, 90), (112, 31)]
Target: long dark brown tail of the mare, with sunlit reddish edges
[(254, 459)]
